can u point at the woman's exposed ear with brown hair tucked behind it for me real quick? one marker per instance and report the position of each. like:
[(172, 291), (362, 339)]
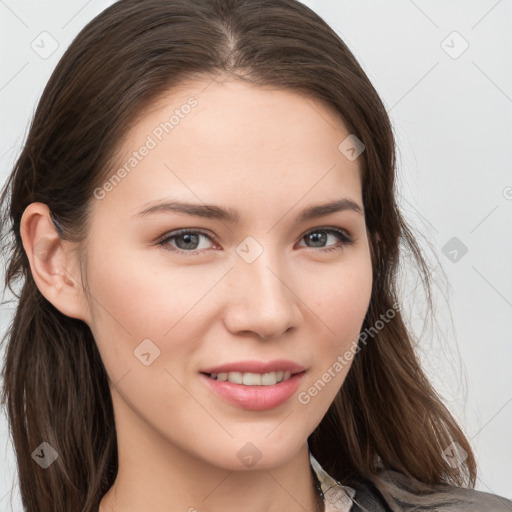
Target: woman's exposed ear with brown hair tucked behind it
[(53, 262)]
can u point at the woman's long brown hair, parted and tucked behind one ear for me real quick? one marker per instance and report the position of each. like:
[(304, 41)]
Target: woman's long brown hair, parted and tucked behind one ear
[(55, 384)]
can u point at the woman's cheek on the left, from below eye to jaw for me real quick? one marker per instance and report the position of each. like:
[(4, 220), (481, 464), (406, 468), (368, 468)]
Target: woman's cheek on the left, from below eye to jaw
[(147, 325)]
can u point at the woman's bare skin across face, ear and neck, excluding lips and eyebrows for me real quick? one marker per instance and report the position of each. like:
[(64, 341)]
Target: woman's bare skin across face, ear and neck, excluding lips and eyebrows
[(268, 154)]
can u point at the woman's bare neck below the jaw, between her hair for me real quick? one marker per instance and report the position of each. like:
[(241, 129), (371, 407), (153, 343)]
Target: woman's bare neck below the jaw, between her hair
[(156, 475)]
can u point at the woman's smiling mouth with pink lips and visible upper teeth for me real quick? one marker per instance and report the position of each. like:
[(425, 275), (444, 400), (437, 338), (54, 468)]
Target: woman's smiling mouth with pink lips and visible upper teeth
[(254, 385)]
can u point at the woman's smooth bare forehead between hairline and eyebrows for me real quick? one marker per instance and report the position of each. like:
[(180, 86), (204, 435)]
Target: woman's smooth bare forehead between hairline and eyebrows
[(211, 140)]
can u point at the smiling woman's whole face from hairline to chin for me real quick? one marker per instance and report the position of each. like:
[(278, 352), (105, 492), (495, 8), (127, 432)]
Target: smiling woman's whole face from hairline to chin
[(248, 283)]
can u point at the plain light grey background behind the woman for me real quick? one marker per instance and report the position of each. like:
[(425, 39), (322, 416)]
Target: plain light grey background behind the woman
[(451, 109)]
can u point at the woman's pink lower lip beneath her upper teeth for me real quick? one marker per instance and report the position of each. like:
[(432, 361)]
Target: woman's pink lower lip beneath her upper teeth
[(254, 398)]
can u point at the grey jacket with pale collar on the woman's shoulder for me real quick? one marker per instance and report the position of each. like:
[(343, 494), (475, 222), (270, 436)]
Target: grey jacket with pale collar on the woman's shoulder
[(393, 492)]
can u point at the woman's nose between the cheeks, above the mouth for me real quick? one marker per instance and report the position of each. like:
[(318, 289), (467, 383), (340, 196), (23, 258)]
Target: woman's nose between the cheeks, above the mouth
[(261, 298)]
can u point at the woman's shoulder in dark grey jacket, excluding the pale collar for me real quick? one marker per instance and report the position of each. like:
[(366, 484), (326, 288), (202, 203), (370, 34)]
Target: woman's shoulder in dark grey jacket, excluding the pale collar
[(391, 491)]
